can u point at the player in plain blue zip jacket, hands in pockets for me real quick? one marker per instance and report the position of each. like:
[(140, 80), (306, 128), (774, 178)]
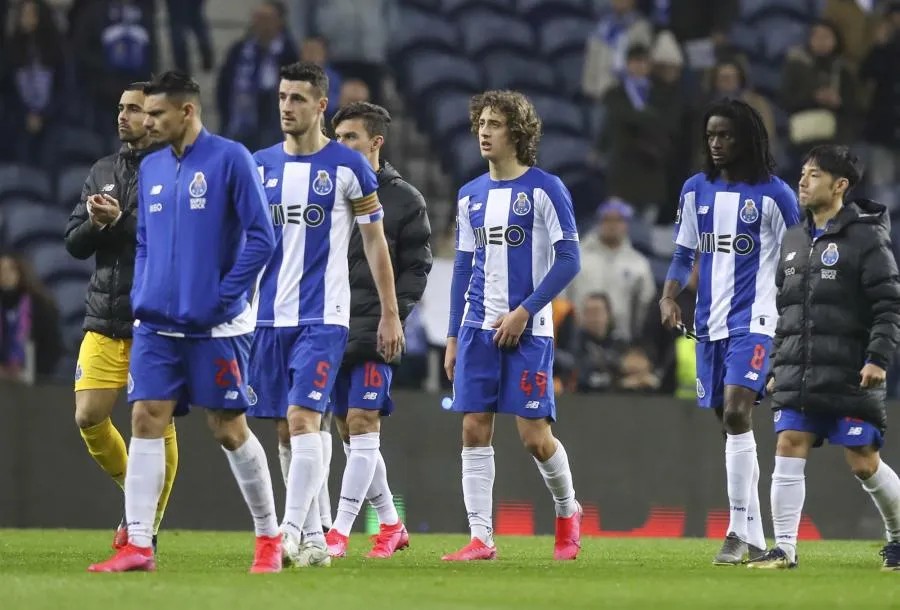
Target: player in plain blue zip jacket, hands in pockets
[(203, 236)]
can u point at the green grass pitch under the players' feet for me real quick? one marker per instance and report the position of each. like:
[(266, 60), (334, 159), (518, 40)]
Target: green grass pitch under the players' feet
[(45, 569)]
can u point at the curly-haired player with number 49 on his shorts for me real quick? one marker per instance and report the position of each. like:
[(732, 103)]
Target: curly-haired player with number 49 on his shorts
[(516, 249)]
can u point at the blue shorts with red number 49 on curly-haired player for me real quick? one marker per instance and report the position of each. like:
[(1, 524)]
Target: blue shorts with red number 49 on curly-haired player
[(517, 381)]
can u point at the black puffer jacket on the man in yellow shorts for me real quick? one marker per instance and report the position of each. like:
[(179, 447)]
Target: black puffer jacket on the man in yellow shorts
[(108, 302)]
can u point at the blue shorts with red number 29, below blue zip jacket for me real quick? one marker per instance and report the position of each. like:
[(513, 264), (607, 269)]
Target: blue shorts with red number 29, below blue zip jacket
[(207, 373)]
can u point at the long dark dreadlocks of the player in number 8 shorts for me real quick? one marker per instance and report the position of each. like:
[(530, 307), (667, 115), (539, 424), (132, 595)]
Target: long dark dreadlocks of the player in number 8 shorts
[(753, 140)]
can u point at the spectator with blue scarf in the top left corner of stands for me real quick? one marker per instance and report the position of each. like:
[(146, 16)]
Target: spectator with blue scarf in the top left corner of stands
[(34, 78)]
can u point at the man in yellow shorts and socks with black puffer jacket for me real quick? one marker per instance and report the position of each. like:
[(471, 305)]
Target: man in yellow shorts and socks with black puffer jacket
[(104, 225)]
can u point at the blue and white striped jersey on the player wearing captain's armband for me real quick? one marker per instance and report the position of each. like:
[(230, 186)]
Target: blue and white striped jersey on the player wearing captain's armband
[(313, 200)]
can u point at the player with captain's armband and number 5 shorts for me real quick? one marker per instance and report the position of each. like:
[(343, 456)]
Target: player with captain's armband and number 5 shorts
[(315, 189)]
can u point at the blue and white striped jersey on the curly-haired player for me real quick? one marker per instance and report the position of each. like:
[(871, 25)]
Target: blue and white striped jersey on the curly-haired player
[(511, 226)]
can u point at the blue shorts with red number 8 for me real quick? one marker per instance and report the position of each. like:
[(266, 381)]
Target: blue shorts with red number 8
[(741, 361)]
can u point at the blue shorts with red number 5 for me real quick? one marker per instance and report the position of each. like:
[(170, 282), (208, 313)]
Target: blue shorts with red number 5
[(294, 365)]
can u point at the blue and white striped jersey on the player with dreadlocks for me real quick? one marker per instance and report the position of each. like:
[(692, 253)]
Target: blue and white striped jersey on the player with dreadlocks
[(738, 229)]
